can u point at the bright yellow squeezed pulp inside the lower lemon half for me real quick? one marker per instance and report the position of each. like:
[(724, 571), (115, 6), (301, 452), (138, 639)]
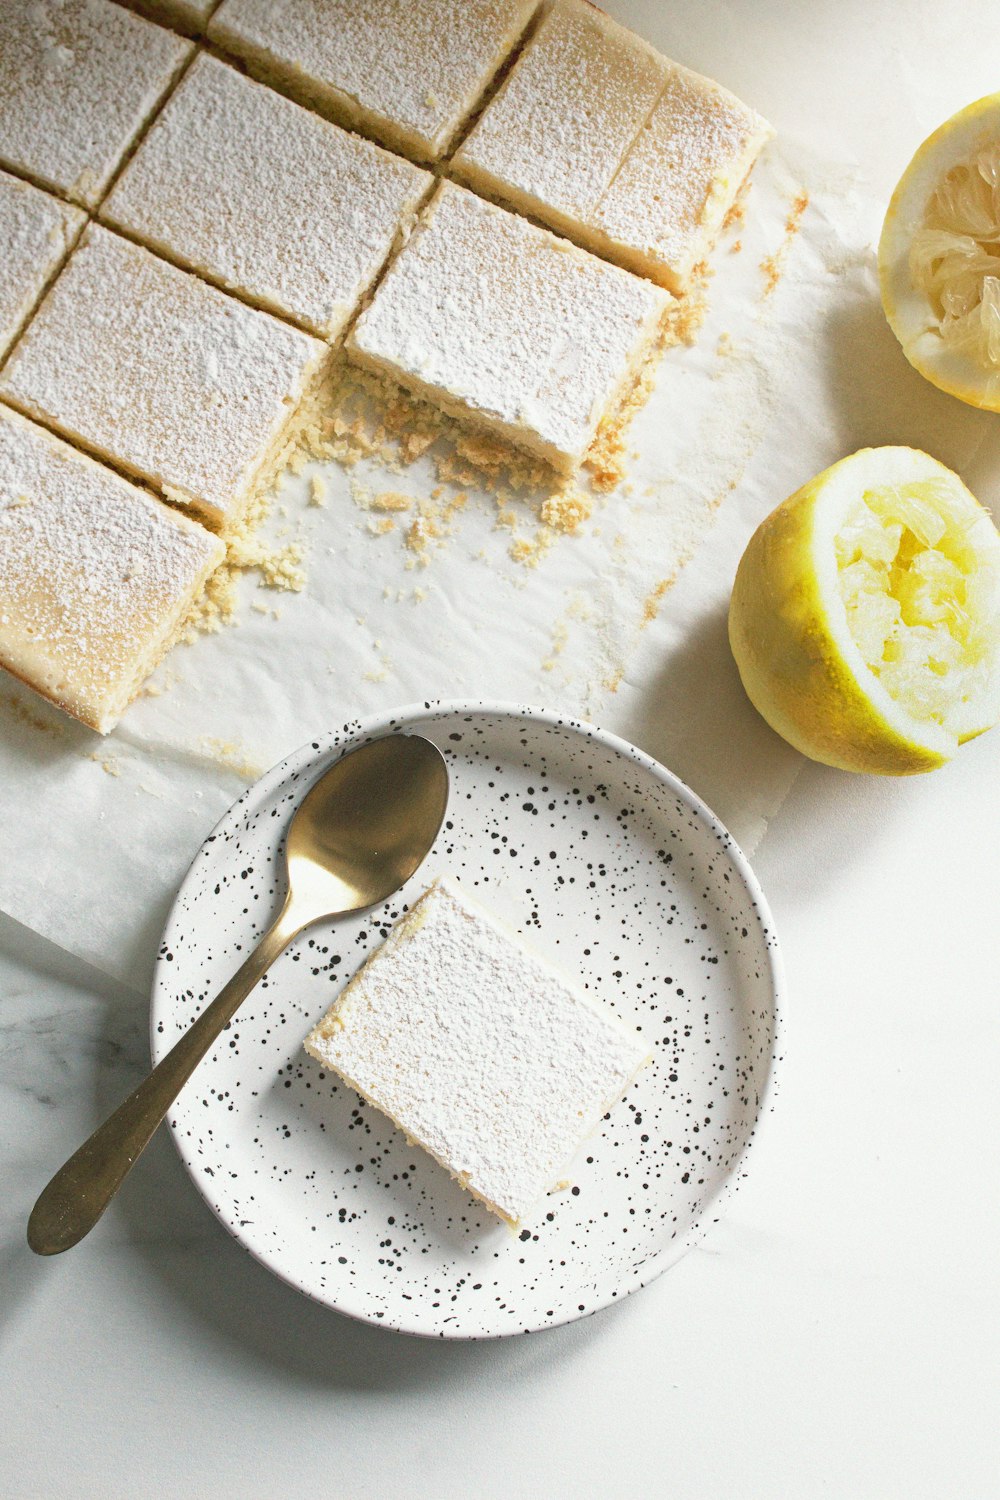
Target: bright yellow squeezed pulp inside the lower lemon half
[(921, 598)]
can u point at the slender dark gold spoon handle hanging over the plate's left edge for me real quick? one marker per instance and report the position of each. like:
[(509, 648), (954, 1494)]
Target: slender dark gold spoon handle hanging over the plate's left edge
[(83, 1187)]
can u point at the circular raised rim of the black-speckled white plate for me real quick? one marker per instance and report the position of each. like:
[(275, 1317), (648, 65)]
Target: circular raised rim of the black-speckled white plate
[(410, 718)]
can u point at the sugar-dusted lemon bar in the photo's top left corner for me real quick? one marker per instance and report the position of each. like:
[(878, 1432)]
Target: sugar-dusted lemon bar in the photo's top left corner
[(79, 79)]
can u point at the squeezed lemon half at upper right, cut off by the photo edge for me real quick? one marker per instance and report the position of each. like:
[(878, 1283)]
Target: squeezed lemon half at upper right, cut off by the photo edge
[(939, 257)]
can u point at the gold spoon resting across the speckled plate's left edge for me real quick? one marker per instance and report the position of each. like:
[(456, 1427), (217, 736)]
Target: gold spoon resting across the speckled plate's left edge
[(359, 835)]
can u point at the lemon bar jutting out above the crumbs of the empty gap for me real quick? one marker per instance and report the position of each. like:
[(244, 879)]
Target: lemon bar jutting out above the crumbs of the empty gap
[(504, 325)]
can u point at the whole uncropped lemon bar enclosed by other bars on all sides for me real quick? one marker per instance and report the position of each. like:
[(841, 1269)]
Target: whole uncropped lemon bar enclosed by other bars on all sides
[(265, 197)]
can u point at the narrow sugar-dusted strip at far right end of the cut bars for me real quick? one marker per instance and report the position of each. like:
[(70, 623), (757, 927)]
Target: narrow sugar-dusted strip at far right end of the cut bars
[(683, 175)]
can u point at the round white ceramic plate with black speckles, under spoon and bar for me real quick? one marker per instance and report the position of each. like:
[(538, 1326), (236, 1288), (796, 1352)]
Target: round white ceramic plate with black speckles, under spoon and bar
[(606, 863)]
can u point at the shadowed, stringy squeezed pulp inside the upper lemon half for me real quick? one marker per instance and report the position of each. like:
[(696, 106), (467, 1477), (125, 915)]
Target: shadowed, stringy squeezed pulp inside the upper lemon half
[(956, 257)]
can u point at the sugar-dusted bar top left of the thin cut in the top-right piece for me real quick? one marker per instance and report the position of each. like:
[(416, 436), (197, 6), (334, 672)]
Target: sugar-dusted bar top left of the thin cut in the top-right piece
[(570, 110)]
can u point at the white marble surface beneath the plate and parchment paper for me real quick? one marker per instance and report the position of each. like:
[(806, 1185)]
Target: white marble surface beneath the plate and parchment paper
[(834, 1337)]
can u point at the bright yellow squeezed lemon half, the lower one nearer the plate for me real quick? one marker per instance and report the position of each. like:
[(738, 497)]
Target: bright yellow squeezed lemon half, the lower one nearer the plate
[(866, 616)]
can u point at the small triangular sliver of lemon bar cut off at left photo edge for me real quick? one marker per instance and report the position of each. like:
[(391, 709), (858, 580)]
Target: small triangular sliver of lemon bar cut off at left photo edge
[(37, 233)]
